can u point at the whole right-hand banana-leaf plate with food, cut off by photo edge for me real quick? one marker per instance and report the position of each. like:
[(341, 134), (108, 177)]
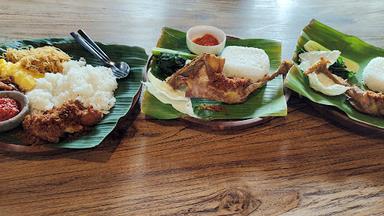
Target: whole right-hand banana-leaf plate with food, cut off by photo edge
[(341, 75)]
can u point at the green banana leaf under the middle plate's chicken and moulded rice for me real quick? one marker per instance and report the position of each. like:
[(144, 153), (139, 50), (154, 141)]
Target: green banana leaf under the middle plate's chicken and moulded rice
[(267, 101)]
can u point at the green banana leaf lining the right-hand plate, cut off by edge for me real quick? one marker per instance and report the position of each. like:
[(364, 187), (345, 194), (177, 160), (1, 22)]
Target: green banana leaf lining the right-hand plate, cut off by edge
[(352, 48)]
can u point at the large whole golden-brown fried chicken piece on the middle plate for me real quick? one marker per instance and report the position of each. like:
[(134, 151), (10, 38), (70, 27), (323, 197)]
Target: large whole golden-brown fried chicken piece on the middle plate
[(204, 78)]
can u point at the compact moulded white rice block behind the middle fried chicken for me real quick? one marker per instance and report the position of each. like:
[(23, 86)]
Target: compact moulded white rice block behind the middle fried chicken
[(245, 62)]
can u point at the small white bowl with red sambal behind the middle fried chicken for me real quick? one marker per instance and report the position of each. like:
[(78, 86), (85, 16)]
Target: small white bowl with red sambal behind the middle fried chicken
[(201, 30)]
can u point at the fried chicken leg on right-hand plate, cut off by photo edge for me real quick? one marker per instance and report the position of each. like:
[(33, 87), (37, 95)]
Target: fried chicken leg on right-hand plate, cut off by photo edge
[(365, 101)]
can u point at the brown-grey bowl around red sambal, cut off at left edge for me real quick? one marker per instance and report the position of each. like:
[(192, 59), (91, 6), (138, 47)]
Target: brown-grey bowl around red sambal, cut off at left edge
[(16, 120)]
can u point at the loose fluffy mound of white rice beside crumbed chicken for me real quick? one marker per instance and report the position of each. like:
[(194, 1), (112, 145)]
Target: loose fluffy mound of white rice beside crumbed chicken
[(93, 86)]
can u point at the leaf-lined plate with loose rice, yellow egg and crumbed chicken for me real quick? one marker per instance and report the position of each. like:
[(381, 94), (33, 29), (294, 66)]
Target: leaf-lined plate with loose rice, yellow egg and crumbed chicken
[(53, 126)]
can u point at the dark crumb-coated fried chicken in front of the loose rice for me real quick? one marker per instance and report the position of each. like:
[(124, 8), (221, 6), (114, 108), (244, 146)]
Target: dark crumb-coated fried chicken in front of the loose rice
[(71, 117)]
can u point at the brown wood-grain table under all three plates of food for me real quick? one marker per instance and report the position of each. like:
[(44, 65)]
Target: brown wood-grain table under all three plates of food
[(298, 165)]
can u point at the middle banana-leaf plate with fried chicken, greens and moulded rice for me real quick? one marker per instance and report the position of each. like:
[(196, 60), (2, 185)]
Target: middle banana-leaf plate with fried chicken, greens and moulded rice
[(191, 87)]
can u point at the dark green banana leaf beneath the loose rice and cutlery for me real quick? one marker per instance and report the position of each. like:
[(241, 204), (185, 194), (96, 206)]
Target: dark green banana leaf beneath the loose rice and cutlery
[(127, 87)]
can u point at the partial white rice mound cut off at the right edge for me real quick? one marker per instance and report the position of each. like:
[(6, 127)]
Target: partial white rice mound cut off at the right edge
[(374, 74)]
